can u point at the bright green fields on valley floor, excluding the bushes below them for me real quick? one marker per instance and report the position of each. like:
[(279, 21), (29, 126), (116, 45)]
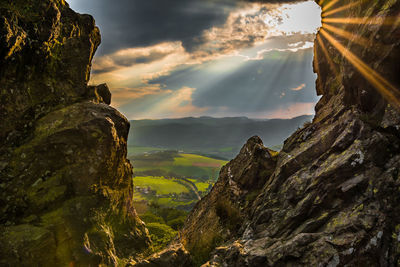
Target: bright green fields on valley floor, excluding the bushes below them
[(173, 179)]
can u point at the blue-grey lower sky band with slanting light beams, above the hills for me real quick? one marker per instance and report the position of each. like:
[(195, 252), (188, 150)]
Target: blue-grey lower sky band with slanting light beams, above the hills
[(231, 85)]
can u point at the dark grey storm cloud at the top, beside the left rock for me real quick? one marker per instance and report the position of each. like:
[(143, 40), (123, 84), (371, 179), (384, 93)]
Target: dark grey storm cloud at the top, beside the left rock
[(136, 23)]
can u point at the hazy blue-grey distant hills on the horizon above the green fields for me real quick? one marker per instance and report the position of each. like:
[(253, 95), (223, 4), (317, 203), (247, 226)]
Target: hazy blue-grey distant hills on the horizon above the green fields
[(221, 137)]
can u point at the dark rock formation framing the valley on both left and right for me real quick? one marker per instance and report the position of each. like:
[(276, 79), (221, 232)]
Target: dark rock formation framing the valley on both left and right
[(329, 198)]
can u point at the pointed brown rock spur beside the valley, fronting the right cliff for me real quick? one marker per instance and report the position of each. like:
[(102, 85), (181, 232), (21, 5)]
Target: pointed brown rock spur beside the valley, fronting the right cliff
[(220, 215)]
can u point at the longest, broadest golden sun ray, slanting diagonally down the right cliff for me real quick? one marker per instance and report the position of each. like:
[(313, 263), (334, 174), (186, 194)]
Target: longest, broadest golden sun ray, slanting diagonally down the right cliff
[(390, 92)]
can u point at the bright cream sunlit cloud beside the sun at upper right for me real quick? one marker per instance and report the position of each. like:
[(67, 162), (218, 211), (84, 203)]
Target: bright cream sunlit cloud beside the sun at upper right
[(254, 25)]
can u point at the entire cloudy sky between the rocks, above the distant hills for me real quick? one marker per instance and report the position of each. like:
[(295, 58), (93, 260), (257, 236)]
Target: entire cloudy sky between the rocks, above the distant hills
[(220, 58)]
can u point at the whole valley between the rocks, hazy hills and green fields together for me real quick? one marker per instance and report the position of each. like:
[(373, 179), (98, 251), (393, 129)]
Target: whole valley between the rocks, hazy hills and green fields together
[(177, 161)]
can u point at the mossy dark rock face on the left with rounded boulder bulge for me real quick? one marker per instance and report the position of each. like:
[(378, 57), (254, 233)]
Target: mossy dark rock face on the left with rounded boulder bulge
[(65, 181)]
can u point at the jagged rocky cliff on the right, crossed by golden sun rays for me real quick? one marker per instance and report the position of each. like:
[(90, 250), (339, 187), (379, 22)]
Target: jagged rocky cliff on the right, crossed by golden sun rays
[(331, 196)]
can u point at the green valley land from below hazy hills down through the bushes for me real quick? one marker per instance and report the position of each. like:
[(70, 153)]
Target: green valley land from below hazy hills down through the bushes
[(167, 185)]
